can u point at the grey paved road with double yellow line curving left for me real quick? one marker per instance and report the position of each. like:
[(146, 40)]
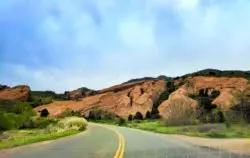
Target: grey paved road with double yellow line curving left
[(103, 141)]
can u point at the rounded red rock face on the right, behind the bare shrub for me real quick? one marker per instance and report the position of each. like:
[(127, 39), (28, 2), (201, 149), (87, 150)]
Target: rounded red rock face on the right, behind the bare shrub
[(228, 88)]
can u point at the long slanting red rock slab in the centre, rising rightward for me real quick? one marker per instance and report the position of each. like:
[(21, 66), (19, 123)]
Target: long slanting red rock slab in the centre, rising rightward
[(122, 99)]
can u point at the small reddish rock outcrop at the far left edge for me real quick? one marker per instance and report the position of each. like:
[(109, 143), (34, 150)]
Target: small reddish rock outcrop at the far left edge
[(19, 93)]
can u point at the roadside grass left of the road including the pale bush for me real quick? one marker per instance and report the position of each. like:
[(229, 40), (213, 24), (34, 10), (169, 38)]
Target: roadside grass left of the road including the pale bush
[(64, 127)]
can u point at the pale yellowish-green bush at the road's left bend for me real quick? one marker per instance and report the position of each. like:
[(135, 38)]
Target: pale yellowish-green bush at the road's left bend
[(68, 123)]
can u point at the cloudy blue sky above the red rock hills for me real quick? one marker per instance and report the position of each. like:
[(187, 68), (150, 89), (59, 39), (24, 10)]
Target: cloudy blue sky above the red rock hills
[(66, 44)]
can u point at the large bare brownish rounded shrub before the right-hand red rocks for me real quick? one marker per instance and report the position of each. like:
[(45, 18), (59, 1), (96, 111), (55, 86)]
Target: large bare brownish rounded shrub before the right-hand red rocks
[(178, 113)]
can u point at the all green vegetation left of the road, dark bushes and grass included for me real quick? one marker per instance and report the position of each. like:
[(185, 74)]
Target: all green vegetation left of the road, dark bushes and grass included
[(20, 125)]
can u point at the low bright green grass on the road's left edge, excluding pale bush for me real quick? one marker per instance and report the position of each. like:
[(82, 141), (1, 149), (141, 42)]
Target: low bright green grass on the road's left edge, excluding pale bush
[(23, 137)]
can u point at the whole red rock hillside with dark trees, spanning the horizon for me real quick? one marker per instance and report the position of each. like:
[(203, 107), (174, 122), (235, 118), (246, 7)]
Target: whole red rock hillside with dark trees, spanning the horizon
[(214, 87)]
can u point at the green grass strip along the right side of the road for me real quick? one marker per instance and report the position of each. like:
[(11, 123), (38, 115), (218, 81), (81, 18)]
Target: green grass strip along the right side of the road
[(202, 130)]
